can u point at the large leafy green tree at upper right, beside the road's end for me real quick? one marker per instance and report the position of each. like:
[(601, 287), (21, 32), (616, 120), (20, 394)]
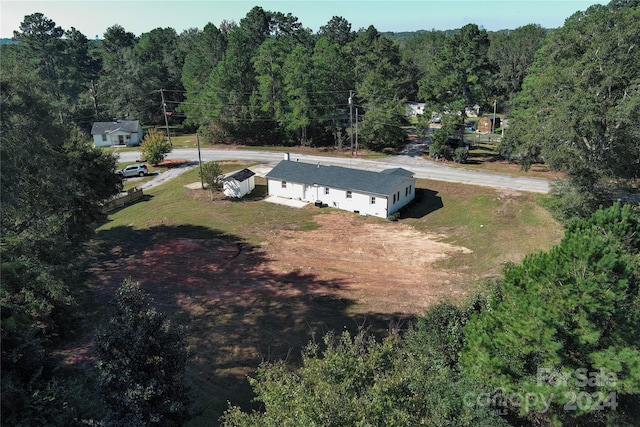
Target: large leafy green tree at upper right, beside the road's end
[(578, 108)]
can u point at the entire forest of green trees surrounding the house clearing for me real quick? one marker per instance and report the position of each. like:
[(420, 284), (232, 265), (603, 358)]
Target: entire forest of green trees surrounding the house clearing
[(554, 341)]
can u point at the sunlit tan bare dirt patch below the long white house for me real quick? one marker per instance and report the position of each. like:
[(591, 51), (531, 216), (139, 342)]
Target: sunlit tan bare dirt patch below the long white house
[(387, 268)]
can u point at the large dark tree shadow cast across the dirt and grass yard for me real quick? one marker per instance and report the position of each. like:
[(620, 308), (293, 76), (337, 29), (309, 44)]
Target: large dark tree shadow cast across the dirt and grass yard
[(238, 311)]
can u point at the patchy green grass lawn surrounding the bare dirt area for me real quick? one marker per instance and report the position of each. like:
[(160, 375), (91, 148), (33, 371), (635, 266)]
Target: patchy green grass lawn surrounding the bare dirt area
[(496, 226)]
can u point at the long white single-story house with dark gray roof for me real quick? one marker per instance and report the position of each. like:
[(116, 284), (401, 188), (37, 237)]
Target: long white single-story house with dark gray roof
[(365, 192)]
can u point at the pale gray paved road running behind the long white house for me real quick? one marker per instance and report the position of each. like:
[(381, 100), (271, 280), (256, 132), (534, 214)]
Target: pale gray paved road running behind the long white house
[(420, 167)]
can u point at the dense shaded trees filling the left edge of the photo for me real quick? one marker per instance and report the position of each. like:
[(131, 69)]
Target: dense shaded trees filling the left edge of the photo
[(53, 182)]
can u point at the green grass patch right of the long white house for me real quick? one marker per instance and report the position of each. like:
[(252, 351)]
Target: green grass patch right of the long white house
[(497, 227)]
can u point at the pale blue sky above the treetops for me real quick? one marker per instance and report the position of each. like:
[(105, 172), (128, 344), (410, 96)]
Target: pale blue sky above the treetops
[(93, 17)]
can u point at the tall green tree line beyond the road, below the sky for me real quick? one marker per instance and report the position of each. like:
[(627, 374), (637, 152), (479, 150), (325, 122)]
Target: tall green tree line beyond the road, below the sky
[(269, 80)]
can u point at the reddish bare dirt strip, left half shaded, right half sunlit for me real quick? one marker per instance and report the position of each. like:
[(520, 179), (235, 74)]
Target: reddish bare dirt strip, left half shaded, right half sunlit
[(378, 267)]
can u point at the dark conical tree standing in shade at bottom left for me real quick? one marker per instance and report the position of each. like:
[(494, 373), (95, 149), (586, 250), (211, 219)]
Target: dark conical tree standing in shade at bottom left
[(141, 363)]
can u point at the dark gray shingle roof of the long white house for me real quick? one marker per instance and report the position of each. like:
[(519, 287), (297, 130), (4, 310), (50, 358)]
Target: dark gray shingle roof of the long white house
[(382, 183)]
